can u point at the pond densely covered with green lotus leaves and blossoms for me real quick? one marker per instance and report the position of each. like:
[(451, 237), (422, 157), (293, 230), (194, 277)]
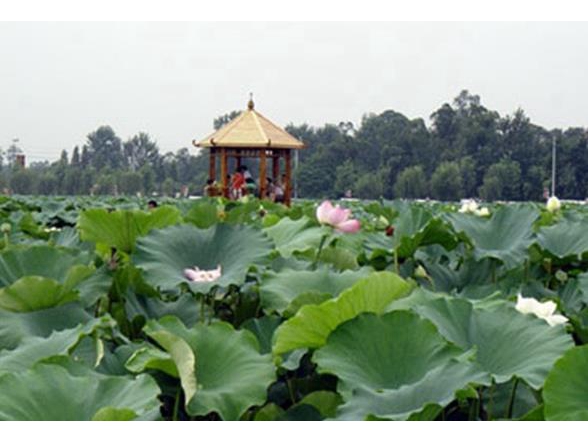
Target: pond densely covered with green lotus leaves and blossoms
[(219, 310)]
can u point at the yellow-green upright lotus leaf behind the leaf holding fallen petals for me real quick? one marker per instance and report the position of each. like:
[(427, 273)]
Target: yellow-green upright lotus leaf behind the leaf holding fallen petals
[(121, 228)]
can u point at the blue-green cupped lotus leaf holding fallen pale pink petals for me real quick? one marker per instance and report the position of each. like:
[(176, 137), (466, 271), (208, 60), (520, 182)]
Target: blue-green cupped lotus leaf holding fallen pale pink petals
[(164, 254)]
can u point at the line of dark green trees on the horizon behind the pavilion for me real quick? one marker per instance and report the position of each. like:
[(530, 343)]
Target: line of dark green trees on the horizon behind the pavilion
[(466, 151)]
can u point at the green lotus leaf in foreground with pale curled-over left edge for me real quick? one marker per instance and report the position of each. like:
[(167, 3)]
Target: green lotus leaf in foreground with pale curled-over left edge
[(232, 376)]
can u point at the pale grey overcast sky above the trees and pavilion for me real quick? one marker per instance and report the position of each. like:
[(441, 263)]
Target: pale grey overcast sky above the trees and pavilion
[(60, 81)]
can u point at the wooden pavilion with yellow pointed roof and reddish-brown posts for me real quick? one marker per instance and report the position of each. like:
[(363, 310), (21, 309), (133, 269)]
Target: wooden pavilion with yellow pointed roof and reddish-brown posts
[(252, 135)]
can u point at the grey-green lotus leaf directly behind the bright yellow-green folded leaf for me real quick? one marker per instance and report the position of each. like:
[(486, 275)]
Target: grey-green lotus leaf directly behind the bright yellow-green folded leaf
[(279, 290)]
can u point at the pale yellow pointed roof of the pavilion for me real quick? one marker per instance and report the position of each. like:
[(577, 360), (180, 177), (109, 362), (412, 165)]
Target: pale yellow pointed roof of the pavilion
[(251, 130)]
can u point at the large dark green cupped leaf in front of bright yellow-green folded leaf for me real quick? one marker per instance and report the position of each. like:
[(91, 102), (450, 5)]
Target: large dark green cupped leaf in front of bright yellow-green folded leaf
[(393, 366)]
